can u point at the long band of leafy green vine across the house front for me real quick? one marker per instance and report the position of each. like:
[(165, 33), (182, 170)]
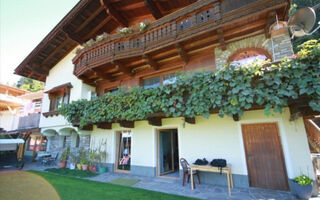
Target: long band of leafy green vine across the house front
[(229, 91)]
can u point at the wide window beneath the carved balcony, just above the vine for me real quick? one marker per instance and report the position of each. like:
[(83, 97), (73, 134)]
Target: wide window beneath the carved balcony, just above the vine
[(159, 80)]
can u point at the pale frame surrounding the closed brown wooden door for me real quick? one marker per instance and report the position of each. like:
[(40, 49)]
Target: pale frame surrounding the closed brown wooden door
[(281, 148)]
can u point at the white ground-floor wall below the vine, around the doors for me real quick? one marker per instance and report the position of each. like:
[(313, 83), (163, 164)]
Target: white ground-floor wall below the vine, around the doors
[(215, 138)]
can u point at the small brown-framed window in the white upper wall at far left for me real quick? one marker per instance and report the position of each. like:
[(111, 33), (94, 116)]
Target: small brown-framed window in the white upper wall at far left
[(59, 95)]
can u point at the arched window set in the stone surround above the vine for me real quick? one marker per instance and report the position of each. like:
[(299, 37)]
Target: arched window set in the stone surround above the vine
[(248, 55)]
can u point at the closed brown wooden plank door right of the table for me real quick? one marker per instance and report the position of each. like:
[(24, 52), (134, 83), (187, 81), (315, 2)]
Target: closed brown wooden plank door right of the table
[(264, 155)]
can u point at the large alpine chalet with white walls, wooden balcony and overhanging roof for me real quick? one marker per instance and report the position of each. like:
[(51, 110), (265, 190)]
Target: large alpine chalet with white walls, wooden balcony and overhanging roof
[(149, 43)]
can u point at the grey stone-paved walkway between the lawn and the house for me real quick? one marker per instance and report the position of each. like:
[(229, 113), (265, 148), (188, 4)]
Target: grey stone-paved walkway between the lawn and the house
[(174, 186)]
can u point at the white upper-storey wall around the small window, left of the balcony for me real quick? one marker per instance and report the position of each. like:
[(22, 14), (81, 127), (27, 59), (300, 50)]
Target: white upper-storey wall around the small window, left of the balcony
[(60, 74)]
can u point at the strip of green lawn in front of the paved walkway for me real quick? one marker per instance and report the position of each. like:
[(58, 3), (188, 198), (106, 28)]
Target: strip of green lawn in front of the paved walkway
[(70, 188)]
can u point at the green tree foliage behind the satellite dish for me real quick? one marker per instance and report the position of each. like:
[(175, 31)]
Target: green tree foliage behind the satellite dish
[(296, 4)]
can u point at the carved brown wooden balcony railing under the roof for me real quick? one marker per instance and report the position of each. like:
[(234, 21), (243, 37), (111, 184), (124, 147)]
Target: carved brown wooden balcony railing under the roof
[(175, 27)]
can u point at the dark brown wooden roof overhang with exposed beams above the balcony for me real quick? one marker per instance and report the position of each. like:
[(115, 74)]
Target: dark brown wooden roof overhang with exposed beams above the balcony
[(86, 20)]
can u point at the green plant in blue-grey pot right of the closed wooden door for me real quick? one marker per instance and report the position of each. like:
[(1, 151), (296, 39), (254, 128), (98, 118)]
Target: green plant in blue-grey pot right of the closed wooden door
[(302, 186)]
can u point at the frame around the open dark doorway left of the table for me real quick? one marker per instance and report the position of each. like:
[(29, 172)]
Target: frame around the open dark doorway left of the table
[(157, 132)]
